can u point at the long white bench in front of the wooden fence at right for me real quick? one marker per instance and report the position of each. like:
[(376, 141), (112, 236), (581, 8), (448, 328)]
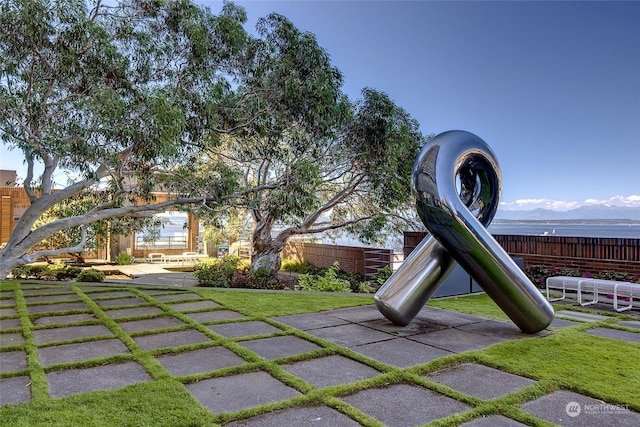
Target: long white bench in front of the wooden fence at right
[(595, 287)]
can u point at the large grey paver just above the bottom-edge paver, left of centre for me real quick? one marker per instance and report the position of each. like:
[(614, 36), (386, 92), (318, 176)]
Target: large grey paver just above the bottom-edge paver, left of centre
[(236, 392)]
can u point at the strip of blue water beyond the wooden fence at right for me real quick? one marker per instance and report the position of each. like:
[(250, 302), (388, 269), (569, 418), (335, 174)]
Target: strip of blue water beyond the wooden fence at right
[(567, 229)]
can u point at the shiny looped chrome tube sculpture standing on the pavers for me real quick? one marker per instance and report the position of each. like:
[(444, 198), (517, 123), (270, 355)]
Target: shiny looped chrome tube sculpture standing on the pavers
[(456, 185)]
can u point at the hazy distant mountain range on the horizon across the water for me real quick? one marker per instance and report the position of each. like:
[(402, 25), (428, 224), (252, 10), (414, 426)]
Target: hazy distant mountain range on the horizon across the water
[(591, 213)]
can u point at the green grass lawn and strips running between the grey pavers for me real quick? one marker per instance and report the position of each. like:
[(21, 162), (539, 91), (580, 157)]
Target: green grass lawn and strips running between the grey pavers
[(567, 358)]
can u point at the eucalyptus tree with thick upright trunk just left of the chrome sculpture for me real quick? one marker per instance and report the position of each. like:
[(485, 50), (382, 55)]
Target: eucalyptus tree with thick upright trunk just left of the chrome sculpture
[(317, 161)]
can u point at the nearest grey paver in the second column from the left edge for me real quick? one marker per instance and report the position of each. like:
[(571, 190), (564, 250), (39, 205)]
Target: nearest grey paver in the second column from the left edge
[(73, 381)]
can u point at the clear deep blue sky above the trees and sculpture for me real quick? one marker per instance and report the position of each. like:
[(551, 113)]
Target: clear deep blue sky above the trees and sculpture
[(552, 87)]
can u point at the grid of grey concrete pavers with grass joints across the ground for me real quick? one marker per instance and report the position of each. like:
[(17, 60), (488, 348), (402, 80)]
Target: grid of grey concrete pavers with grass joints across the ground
[(189, 336)]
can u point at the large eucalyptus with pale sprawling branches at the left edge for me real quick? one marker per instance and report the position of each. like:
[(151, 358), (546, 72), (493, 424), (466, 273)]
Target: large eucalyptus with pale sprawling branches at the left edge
[(115, 95)]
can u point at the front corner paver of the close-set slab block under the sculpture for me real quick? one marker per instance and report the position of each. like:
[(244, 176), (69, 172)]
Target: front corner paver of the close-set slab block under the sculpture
[(401, 352)]
